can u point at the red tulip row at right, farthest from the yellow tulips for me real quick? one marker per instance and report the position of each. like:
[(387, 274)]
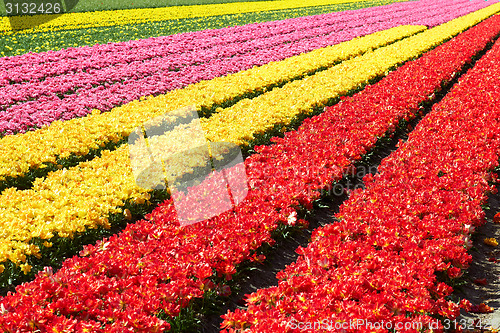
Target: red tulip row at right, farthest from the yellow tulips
[(376, 269)]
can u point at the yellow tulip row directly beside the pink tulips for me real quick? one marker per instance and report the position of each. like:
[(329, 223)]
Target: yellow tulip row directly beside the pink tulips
[(77, 136)]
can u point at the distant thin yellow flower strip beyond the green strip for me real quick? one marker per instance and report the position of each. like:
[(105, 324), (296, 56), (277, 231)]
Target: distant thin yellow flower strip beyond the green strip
[(38, 23)]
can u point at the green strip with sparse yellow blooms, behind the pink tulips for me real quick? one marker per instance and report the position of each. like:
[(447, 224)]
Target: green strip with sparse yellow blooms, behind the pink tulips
[(21, 43)]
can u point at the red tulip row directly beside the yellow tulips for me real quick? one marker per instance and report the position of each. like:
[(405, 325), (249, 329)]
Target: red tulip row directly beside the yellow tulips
[(156, 267)]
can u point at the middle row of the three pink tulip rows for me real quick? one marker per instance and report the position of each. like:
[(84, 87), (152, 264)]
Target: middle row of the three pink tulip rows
[(137, 69)]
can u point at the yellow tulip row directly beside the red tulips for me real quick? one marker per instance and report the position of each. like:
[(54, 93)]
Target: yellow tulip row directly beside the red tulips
[(83, 197)]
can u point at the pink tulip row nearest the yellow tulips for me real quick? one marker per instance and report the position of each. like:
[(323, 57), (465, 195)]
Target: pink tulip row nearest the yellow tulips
[(32, 114)]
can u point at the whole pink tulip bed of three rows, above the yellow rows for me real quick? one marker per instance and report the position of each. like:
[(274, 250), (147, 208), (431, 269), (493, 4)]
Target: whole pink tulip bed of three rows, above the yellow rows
[(154, 69)]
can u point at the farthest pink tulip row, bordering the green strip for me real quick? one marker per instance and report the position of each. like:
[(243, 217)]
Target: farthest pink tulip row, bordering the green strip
[(24, 67)]
